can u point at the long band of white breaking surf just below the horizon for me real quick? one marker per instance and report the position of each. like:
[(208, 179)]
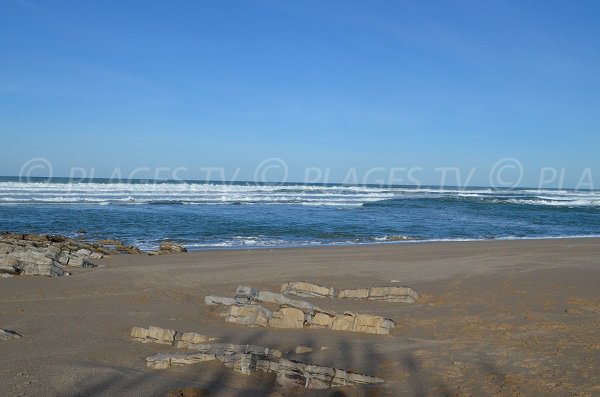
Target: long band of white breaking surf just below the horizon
[(306, 195)]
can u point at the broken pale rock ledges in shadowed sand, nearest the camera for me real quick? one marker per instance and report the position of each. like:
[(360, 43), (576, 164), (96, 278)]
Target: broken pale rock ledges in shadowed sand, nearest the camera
[(247, 359)]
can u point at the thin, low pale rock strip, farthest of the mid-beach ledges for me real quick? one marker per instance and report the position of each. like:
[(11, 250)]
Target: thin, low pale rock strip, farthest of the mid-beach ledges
[(385, 294)]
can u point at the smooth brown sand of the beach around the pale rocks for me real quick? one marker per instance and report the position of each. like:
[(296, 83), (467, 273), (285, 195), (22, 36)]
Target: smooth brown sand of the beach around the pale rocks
[(502, 318)]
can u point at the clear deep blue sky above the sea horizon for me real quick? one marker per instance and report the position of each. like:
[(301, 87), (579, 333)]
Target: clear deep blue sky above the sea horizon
[(343, 91)]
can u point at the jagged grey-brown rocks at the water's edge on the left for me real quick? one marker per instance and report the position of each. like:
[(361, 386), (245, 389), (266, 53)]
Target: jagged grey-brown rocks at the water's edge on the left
[(47, 255)]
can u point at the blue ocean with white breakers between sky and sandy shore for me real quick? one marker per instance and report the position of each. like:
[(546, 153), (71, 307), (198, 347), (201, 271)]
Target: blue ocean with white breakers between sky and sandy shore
[(205, 215)]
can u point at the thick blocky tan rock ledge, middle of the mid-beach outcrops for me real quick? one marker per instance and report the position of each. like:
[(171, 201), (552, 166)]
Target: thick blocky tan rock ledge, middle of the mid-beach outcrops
[(246, 309)]
